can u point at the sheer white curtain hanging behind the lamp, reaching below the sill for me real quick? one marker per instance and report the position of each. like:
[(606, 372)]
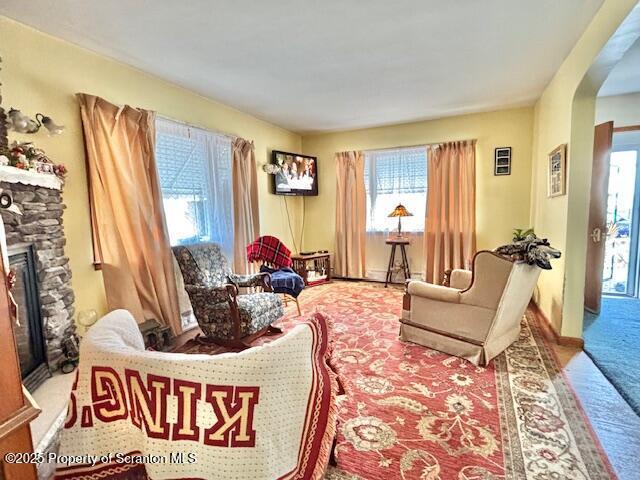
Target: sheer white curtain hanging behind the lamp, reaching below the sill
[(394, 176)]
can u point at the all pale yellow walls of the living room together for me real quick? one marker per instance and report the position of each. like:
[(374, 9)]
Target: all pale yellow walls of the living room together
[(41, 74)]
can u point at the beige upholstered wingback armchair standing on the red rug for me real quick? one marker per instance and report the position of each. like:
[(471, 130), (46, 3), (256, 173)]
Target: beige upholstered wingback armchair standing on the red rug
[(478, 316)]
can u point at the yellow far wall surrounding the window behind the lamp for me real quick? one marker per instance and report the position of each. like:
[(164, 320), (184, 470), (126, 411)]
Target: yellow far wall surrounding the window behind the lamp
[(502, 202)]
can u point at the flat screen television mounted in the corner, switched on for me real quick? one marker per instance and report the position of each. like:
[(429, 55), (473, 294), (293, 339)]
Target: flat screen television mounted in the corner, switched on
[(296, 174)]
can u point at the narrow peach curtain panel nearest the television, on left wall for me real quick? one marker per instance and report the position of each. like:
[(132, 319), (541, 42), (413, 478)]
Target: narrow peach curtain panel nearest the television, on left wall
[(246, 220)]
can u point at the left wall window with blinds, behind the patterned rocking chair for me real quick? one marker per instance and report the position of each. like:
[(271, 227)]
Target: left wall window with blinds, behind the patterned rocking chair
[(195, 178)]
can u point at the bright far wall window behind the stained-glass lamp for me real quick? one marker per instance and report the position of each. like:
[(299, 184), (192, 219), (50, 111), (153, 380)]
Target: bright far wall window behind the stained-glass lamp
[(391, 177)]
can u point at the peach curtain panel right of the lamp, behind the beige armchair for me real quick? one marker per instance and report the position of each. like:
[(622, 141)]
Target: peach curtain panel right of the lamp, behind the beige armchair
[(450, 226)]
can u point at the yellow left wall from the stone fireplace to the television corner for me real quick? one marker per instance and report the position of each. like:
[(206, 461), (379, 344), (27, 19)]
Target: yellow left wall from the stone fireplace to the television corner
[(41, 74)]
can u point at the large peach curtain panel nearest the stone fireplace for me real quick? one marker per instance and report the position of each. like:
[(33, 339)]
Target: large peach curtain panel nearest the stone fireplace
[(128, 223)]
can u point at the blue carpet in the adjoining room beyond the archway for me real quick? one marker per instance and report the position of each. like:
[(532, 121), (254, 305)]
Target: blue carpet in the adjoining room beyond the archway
[(612, 340)]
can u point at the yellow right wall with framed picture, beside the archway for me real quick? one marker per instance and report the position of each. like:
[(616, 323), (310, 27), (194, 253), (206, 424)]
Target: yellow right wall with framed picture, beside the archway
[(565, 114)]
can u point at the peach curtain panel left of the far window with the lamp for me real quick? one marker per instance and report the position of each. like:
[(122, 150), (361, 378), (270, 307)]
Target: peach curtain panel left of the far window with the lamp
[(350, 215)]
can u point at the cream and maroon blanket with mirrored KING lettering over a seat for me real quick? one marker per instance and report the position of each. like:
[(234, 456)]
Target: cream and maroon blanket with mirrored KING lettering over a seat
[(265, 413)]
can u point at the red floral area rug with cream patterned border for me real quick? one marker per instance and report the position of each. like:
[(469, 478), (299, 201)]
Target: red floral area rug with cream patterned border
[(413, 413)]
